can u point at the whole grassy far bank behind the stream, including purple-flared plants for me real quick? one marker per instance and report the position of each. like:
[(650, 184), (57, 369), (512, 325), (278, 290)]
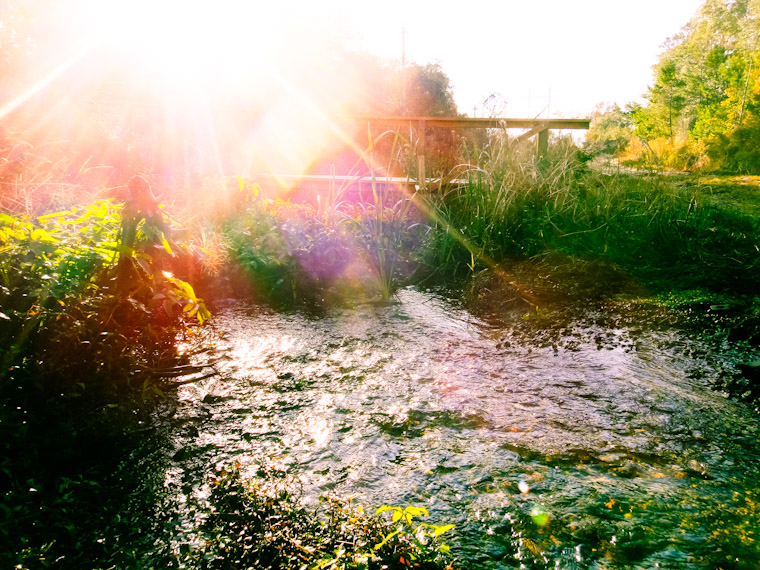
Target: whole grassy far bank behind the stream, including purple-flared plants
[(589, 232)]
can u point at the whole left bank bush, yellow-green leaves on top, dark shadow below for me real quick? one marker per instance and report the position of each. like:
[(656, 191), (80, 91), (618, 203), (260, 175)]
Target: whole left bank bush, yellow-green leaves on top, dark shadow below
[(83, 350)]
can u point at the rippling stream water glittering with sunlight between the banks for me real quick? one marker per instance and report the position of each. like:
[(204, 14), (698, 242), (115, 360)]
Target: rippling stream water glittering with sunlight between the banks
[(605, 448)]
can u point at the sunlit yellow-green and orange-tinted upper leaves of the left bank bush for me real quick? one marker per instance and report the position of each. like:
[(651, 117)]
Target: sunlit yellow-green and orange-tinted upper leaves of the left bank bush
[(57, 275)]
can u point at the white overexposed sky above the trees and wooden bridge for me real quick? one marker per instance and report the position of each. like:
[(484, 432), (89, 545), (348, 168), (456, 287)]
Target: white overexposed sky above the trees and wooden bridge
[(527, 58)]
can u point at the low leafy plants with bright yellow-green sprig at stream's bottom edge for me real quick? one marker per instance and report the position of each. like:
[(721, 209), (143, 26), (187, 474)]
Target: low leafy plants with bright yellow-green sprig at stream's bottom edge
[(263, 524)]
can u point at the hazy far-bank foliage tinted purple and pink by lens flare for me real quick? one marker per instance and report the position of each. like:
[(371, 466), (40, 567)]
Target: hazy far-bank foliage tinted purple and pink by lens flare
[(295, 253)]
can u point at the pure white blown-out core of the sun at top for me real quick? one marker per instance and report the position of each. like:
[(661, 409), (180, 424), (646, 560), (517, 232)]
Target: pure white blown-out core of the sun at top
[(182, 46)]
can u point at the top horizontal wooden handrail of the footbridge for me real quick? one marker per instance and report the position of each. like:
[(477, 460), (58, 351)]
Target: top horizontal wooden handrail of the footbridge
[(477, 123)]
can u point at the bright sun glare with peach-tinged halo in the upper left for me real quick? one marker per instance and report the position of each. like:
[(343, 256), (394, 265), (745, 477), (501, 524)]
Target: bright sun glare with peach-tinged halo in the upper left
[(255, 87)]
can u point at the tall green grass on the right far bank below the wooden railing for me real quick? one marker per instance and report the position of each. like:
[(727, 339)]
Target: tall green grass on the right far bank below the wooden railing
[(515, 206)]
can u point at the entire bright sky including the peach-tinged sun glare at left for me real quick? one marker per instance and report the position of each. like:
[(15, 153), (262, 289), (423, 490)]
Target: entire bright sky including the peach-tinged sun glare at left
[(558, 58)]
